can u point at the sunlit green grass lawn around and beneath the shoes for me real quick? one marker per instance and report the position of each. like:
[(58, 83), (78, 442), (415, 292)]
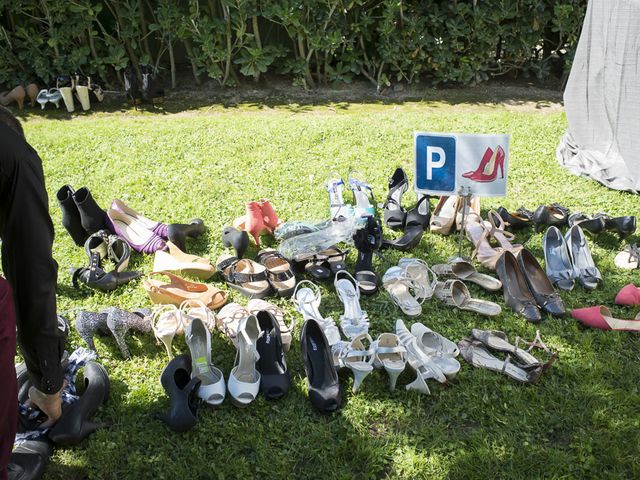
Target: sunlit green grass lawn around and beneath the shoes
[(582, 420)]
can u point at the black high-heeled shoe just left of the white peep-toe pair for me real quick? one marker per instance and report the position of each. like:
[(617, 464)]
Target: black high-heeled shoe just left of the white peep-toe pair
[(182, 391)]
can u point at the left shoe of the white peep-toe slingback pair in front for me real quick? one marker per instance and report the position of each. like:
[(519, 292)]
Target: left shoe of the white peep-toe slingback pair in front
[(212, 387)]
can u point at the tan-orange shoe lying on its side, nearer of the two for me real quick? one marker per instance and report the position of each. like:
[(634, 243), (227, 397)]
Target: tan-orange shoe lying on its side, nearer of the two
[(177, 290)]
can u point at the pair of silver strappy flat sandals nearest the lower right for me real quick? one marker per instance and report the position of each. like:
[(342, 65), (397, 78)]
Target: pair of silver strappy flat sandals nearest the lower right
[(519, 363)]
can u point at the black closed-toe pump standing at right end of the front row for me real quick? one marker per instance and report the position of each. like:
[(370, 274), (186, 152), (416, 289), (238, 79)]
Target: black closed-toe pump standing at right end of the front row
[(322, 378)]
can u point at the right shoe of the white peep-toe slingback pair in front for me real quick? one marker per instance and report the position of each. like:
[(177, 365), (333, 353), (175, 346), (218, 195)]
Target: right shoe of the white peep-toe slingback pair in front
[(244, 379)]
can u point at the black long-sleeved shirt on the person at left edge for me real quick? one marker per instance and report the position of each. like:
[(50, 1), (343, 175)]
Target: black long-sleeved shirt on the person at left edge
[(27, 238)]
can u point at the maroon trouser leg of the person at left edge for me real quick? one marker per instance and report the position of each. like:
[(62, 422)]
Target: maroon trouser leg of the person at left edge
[(9, 397)]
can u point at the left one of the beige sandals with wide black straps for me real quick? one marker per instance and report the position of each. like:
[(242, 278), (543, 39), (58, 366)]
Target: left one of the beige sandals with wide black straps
[(246, 276)]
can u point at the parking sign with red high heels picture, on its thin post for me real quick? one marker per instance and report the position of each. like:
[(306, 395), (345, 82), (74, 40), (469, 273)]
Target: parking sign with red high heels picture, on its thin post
[(461, 164)]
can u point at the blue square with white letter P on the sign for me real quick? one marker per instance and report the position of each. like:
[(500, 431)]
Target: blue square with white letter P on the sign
[(435, 163)]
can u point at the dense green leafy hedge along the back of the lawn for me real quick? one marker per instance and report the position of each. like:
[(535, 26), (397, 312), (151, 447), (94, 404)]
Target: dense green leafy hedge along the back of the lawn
[(311, 41)]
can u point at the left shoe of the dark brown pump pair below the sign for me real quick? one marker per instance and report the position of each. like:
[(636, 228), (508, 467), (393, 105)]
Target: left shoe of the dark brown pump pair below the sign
[(516, 290)]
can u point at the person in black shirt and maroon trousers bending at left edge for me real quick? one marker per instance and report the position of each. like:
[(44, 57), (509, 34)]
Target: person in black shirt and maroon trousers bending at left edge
[(26, 231)]
